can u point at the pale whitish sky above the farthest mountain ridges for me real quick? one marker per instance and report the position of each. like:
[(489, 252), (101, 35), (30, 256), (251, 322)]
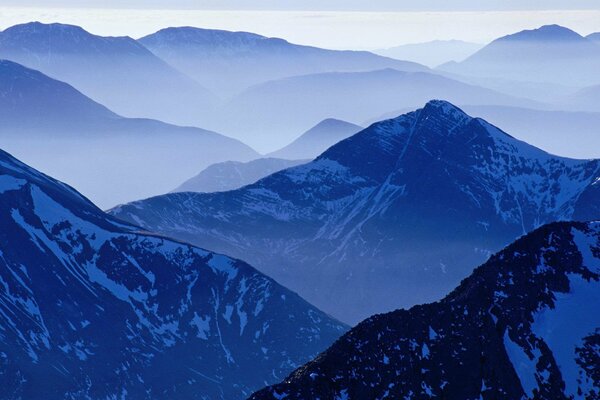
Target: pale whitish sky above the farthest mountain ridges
[(337, 24)]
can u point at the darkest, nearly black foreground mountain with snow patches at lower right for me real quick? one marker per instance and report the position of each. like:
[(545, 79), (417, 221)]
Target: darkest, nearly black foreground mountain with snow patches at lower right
[(524, 325)]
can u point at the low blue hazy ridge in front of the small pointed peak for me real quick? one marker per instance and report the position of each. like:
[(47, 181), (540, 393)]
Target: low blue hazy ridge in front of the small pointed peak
[(230, 175)]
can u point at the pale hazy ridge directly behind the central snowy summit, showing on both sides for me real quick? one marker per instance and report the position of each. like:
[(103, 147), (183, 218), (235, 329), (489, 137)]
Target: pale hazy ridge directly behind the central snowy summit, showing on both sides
[(565, 133)]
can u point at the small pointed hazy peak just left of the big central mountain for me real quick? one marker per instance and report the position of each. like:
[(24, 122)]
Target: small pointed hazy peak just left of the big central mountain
[(317, 139)]
